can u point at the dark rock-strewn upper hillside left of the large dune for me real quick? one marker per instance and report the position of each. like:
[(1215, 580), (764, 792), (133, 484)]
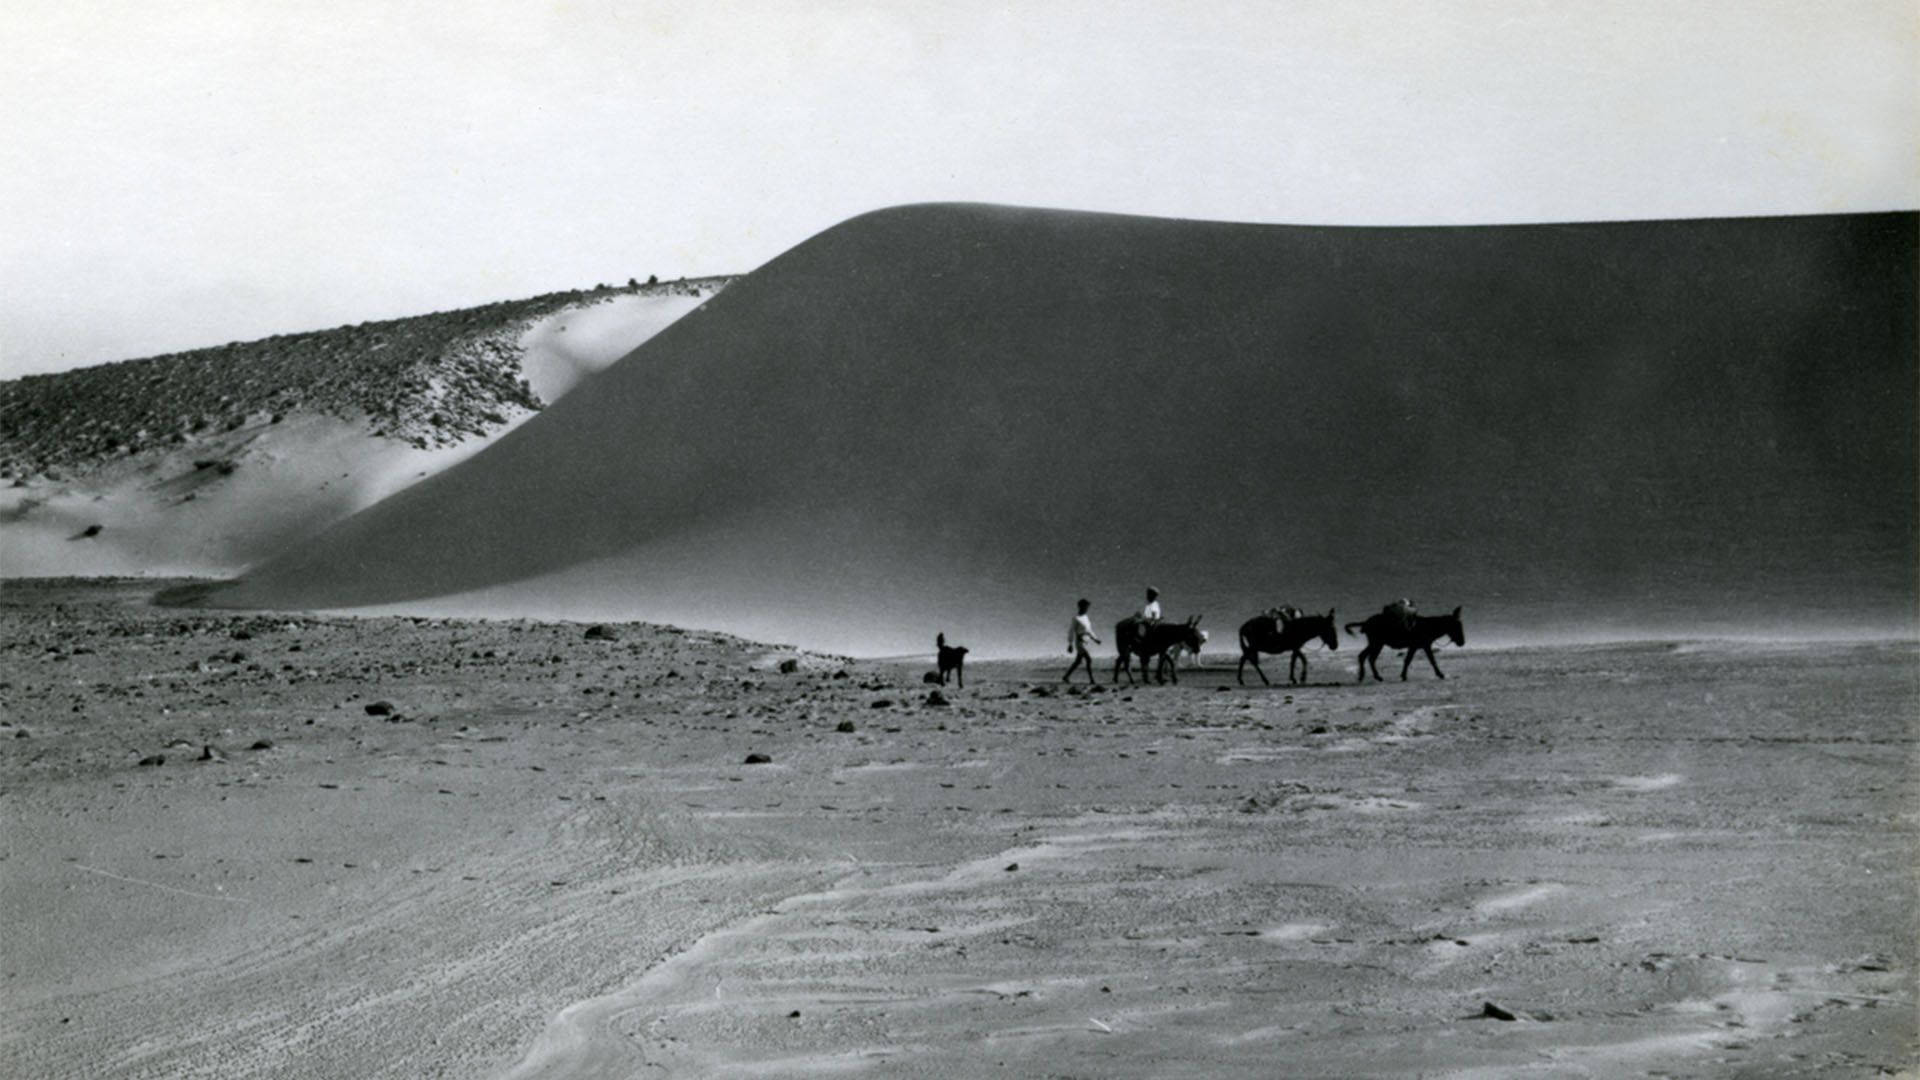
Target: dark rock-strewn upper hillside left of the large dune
[(431, 381)]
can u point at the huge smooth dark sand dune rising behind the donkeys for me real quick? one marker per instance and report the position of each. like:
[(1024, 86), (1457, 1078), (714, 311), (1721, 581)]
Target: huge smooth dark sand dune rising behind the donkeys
[(965, 418)]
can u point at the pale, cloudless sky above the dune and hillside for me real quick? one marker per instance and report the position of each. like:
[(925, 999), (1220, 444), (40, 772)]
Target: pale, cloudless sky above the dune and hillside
[(183, 174)]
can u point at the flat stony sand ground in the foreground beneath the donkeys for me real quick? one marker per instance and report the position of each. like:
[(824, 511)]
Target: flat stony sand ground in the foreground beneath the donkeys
[(552, 858)]
